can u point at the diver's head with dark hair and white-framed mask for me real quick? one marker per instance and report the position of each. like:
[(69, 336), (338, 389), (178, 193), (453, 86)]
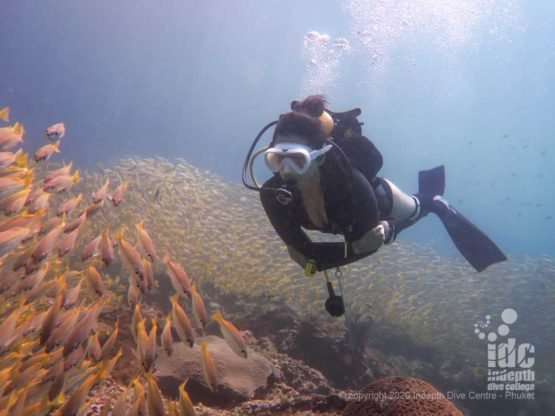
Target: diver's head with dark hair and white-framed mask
[(299, 143)]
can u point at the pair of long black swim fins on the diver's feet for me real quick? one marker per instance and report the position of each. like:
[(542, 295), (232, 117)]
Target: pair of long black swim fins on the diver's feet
[(475, 246)]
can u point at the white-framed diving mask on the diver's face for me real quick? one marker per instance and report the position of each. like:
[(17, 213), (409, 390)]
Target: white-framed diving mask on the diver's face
[(292, 157)]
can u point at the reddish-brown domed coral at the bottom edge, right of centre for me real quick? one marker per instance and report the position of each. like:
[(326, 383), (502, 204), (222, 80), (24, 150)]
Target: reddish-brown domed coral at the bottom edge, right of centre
[(400, 396)]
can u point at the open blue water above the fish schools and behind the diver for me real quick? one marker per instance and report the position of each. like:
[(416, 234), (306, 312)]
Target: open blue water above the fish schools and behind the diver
[(470, 86)]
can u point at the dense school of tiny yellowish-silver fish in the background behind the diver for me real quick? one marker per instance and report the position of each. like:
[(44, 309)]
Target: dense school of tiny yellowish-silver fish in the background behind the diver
[(220, 230)]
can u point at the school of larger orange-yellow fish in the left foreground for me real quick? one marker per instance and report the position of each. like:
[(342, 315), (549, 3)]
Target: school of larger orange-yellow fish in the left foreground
[(55, 285)]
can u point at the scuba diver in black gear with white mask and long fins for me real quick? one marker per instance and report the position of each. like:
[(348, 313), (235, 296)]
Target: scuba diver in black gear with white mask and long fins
[(325, 179)]
